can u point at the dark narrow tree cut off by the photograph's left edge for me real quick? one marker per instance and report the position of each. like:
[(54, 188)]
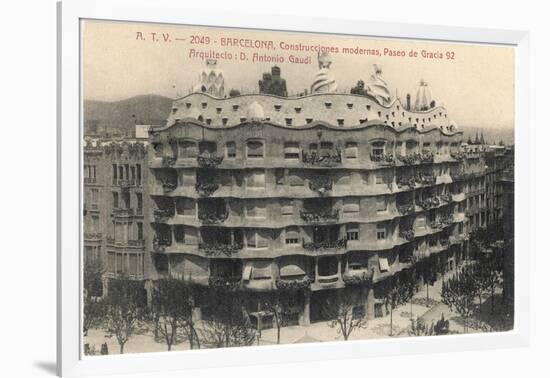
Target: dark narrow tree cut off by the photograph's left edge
[(93, 306)]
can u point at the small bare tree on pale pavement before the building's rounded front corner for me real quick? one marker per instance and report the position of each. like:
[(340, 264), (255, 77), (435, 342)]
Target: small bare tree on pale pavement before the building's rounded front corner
[(340, 309)]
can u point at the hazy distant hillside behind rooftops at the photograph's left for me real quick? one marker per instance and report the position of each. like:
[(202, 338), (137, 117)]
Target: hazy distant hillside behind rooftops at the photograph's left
[(122, 116)]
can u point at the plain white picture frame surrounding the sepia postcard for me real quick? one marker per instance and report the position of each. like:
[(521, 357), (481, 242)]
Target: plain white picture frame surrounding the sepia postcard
[(70, 361)]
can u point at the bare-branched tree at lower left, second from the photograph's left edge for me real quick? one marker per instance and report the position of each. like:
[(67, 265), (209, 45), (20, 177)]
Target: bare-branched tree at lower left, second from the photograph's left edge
[(123, 309)]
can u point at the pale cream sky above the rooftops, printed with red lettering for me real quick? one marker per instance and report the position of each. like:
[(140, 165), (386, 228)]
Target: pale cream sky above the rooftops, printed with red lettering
[(123, 59)]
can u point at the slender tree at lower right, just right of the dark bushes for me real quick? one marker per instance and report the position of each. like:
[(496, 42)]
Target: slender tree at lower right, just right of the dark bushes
[(459, 292)]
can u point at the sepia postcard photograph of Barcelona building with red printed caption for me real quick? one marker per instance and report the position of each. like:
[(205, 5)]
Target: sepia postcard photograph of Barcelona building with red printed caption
[(246, 187)]
